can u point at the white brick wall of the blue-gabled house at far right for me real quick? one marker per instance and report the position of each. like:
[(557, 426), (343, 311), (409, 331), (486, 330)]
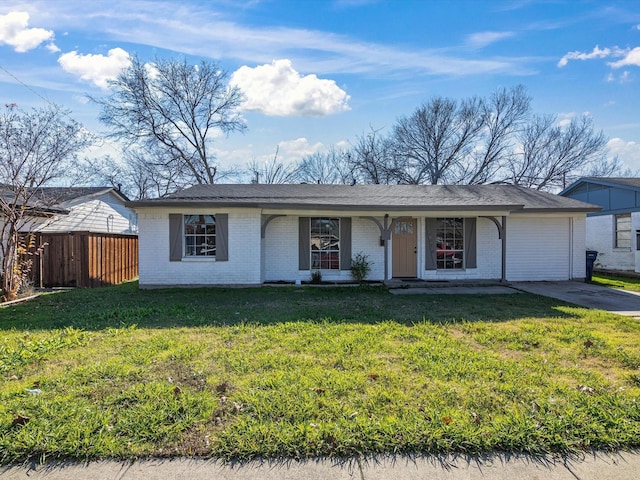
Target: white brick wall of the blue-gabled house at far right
[(601, 232)]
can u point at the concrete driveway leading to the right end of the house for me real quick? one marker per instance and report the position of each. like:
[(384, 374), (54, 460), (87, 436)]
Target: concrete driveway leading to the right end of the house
[(586, 295)]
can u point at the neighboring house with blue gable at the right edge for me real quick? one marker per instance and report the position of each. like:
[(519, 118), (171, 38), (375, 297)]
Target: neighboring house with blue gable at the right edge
[(613, 231)]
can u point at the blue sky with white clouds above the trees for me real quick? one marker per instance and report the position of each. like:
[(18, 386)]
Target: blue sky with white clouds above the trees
[(318, 73)]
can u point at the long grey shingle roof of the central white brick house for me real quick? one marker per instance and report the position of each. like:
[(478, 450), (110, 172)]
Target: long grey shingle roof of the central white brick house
[(369, 197)]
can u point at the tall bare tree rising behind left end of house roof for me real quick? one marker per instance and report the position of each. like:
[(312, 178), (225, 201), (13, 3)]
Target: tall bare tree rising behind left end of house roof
[(176, 108)]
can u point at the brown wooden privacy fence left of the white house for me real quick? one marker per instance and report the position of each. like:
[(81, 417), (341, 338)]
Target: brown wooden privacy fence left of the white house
[(84, 259)]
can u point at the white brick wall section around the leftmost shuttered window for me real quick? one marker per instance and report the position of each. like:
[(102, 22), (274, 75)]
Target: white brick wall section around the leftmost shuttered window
[(242, 268)]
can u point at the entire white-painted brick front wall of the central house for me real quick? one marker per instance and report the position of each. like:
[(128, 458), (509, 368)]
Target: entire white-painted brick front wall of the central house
[(539, 248)]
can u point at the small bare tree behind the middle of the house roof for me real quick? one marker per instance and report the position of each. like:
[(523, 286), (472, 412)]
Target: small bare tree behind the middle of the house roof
[(332, 166)]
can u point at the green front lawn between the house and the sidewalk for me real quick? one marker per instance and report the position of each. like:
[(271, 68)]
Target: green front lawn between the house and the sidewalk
[(304, 372)]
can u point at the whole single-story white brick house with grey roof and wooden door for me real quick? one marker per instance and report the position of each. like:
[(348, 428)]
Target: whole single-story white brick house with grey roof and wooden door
[(251, 234)]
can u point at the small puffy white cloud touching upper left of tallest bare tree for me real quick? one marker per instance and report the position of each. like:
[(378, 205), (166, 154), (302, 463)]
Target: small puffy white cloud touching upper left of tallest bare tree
[(98, 69)]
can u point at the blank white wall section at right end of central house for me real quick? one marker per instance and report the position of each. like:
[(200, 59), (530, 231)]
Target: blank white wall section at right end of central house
[(539, 248)]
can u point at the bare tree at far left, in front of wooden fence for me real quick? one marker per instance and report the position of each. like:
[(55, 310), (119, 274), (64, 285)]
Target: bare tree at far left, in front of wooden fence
[(36, 149)]
